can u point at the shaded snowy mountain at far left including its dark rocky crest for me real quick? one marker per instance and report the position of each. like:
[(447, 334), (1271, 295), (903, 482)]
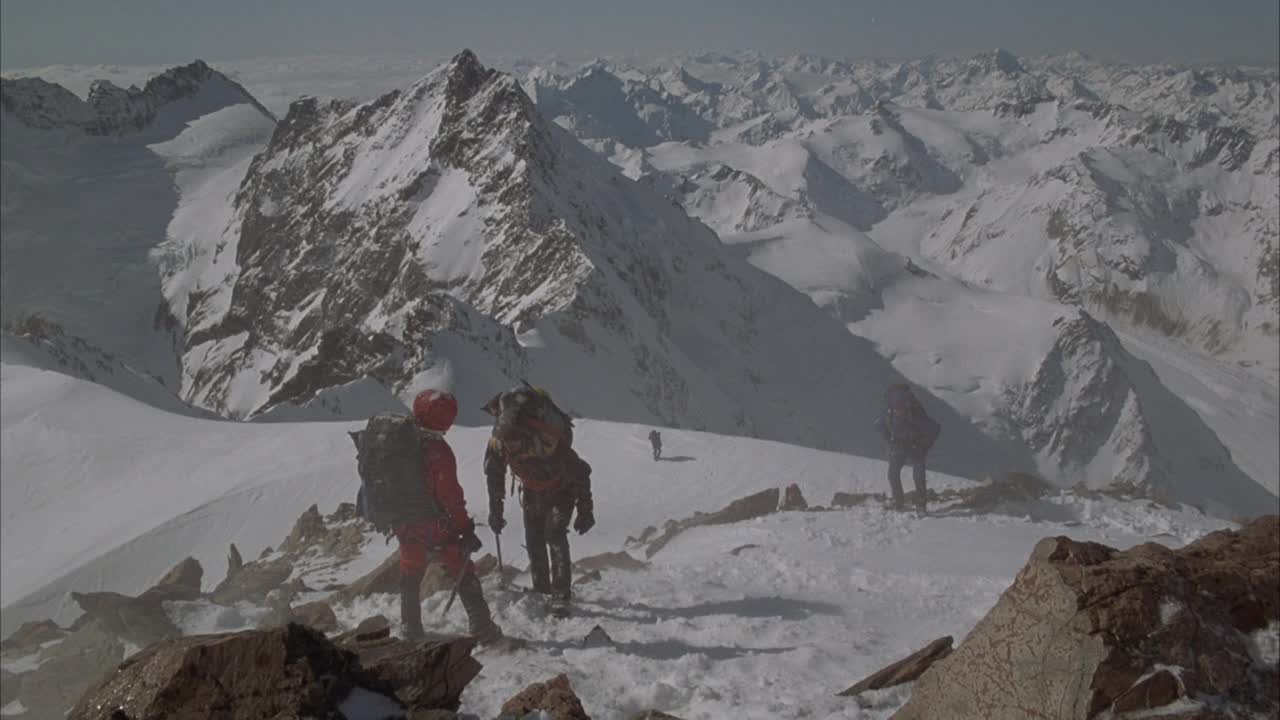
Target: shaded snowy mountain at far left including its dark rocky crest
[(92, 190)]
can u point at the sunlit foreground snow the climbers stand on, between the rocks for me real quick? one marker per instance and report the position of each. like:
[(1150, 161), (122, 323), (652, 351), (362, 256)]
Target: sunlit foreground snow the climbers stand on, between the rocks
[(103, 493)]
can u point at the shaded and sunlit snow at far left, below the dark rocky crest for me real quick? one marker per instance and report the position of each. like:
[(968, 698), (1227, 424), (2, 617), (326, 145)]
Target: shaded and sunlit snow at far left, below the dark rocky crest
[(93, 213)]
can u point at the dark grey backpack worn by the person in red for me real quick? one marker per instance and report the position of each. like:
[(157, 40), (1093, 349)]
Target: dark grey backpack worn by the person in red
[(392, 464)]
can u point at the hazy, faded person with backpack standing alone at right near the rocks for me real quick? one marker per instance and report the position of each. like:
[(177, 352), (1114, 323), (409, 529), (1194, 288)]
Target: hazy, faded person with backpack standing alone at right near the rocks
[(911, 434)]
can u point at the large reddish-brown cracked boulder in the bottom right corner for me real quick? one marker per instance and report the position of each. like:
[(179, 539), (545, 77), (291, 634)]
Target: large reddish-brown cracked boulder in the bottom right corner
[(1089, 631)]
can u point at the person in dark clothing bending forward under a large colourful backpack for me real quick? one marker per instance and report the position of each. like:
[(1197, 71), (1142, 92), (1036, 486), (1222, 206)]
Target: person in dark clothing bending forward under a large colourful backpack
[(534, 439)]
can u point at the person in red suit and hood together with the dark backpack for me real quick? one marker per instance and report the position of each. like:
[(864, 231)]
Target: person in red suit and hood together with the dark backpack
[(410, 487)]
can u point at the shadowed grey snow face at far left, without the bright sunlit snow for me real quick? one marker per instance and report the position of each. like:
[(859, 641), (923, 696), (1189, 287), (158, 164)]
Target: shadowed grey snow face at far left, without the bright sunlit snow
[(116, 200)]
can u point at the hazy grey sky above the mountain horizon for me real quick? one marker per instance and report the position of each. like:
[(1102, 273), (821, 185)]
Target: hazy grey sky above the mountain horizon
[(39, 33)]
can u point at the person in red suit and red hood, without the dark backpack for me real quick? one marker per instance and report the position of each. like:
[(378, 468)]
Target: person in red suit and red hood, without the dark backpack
[(447, 535)]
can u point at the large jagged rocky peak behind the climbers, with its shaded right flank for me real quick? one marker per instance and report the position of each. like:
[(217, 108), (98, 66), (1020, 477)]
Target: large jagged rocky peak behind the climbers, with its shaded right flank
[(451, 231)]
